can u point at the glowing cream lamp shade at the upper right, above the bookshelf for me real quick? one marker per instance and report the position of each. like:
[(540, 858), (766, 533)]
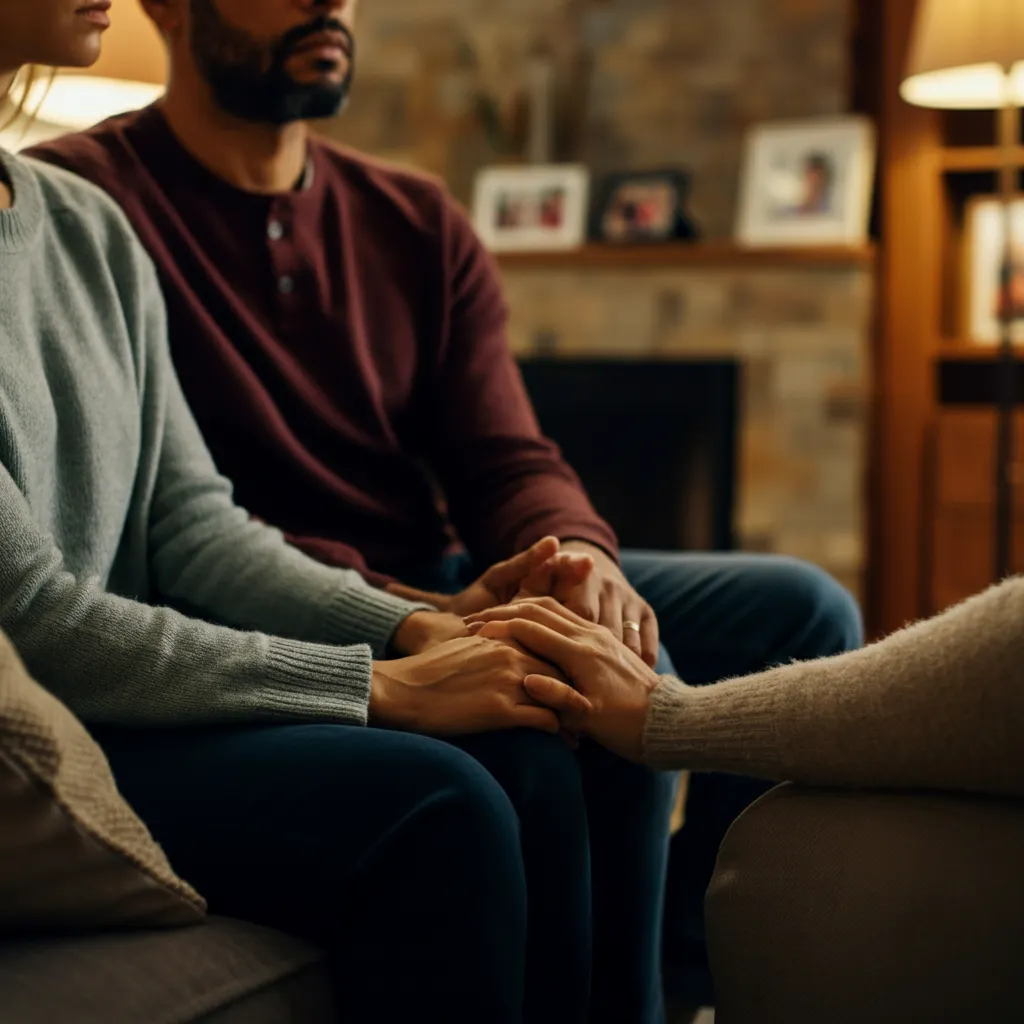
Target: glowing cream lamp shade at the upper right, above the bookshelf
[(967, 55)]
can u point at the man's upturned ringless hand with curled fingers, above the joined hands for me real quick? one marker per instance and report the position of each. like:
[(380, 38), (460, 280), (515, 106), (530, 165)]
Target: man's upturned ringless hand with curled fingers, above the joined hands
[(544, 564)]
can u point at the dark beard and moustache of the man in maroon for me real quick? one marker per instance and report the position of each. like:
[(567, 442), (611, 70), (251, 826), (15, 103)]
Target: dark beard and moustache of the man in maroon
[(250, 79)]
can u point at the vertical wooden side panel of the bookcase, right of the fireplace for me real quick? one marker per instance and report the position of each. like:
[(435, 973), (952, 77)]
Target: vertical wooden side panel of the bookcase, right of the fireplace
[(911, 312)]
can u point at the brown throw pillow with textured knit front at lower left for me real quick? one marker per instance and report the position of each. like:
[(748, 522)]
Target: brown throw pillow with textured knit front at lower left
[(73, 855)]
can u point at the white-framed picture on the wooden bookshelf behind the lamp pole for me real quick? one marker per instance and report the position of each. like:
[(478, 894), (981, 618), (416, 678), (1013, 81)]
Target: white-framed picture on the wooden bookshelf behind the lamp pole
[(990, 292)]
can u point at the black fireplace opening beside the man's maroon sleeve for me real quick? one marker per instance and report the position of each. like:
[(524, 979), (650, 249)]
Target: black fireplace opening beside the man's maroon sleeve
[(655, 444)]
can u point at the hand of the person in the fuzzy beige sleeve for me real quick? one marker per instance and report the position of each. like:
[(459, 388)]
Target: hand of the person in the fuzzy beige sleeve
[(613, 678)]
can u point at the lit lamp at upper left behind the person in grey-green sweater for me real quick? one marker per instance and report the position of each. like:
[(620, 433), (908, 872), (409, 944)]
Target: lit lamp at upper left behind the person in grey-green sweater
[(131, 74)]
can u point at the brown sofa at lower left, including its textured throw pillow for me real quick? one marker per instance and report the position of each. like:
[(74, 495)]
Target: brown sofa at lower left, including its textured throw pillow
[(96, 927)]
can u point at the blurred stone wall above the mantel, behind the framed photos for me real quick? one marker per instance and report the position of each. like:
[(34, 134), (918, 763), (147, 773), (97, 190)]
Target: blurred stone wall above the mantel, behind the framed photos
[(642, 83)]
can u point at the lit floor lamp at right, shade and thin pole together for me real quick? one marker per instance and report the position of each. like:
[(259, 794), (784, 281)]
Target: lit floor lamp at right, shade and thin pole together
[(969, 55)]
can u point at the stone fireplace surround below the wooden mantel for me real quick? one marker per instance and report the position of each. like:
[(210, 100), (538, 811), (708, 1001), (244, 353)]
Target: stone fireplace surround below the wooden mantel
[(803, 338)]
